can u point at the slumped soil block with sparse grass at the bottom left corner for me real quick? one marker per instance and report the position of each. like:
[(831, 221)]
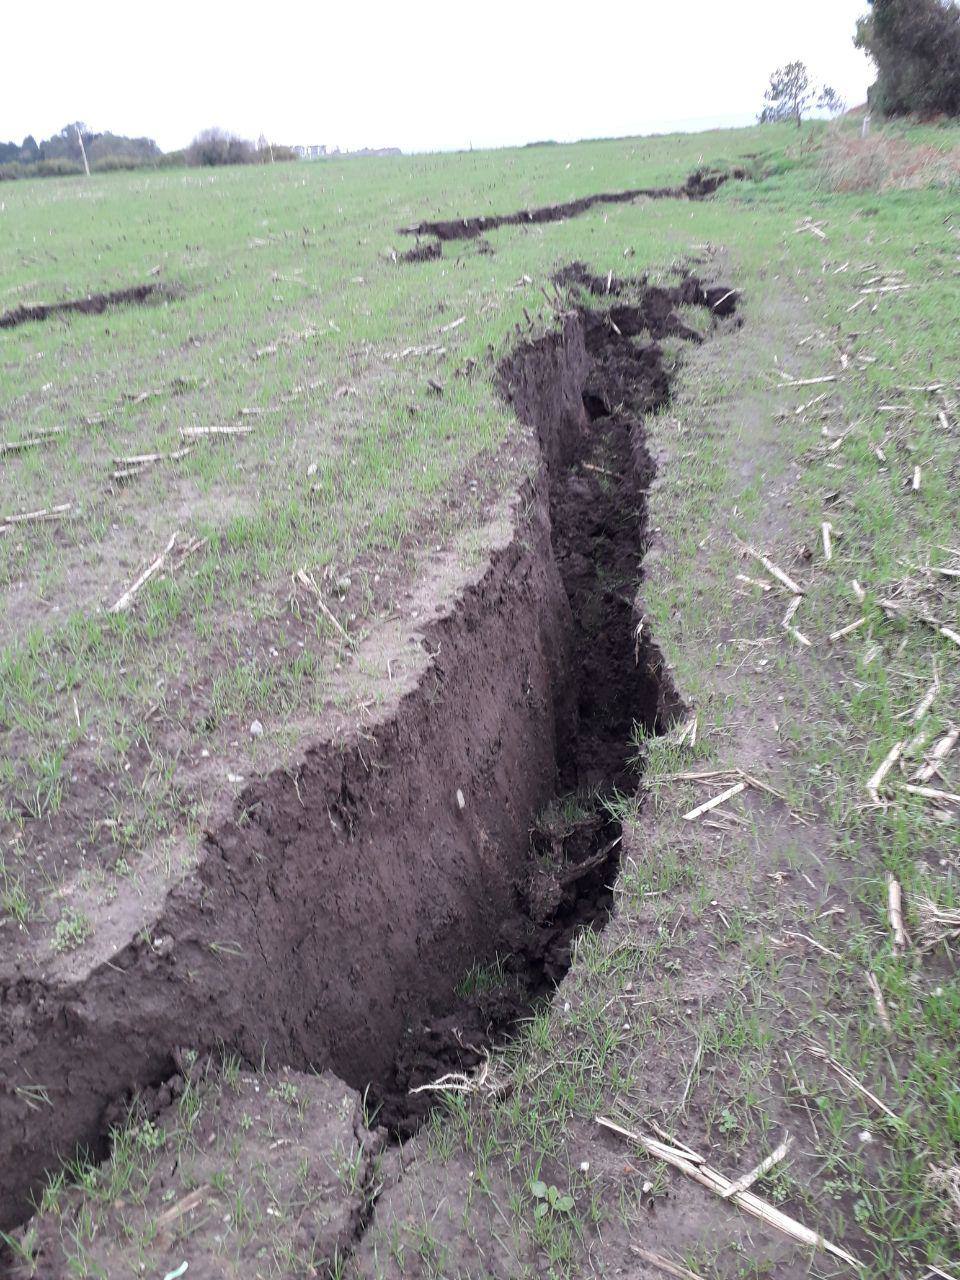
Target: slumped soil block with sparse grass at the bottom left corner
[(228, 1173)]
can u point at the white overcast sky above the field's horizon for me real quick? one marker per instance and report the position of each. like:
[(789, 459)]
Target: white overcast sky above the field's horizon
[(418, 76)]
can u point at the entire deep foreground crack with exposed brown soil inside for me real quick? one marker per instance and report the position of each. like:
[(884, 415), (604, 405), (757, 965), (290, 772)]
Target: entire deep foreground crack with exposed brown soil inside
[(339, 906)]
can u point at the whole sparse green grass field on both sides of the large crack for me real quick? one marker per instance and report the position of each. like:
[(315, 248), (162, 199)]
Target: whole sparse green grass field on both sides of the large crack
[(743, 944)]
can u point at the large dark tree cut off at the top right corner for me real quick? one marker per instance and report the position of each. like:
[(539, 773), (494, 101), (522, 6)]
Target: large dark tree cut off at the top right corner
[(916, 45)]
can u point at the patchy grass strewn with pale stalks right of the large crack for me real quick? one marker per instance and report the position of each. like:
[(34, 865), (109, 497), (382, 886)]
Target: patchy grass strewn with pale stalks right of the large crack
[(748, 982)]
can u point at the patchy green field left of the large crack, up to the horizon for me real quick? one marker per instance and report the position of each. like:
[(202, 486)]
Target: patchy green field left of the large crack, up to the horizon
[(298, 327)]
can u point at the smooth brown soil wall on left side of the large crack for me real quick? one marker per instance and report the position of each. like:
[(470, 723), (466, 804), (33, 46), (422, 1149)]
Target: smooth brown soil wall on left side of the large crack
[(345, 894)]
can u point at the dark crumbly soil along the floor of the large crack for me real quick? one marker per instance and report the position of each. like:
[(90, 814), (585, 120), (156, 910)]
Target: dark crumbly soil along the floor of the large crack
[(597, 477)]
